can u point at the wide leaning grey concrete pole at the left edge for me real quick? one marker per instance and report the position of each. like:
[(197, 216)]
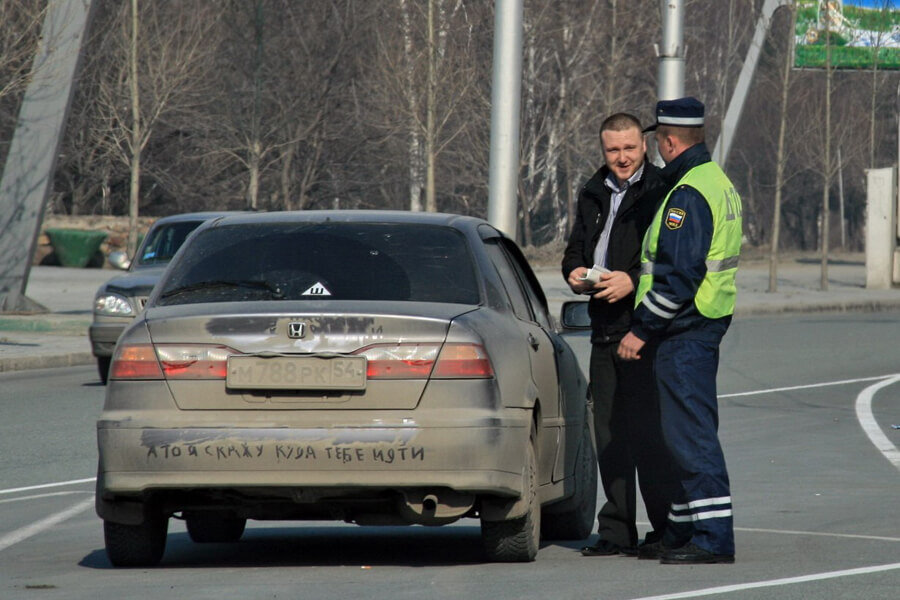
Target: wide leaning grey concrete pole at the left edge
[(28, 172)]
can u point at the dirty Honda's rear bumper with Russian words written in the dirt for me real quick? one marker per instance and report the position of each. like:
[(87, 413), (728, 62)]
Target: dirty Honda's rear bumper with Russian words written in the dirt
[(481, 458)]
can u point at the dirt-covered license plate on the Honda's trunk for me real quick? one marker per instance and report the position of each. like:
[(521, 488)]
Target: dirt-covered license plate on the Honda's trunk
[(297, 373)]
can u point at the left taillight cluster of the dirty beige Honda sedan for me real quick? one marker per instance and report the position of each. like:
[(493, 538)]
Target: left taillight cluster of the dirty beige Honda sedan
[(170, 361)]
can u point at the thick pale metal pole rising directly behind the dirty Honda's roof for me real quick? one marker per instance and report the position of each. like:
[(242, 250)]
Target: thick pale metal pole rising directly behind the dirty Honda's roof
[(506, 92)]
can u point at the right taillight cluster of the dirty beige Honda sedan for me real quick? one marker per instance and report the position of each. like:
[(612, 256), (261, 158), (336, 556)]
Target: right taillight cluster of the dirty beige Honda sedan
[(419, 361)]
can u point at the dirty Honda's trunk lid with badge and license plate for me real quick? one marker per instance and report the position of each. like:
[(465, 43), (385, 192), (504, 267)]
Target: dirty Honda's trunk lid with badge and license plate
[(288, 359)]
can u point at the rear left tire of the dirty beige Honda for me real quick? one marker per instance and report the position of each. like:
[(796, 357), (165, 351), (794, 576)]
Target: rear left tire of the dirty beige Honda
[(136, 545)]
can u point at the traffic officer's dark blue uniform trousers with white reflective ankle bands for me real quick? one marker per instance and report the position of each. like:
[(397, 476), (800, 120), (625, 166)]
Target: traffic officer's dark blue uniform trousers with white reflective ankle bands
[(686, 378)]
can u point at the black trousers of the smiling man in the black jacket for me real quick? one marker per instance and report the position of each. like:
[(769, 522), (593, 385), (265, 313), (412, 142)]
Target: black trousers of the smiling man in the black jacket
[(629, 437)]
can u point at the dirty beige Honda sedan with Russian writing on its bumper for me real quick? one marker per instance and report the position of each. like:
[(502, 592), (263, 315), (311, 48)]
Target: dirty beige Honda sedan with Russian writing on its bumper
[(373, 367)]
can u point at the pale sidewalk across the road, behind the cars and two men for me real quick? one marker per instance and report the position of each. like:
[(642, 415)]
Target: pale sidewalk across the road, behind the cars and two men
[(59, 338)]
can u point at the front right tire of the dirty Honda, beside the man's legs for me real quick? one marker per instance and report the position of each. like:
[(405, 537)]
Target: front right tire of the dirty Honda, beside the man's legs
[(573, 518)]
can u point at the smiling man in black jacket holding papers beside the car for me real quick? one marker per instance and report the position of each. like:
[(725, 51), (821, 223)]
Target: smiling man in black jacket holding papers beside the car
[(615, 207)]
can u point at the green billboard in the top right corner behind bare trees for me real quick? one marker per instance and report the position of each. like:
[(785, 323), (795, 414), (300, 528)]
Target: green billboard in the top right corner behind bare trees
[(860, 32)]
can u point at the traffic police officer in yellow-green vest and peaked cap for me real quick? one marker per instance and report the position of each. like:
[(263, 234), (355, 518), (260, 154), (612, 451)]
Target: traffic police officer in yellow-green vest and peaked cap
[(685, 300)]
